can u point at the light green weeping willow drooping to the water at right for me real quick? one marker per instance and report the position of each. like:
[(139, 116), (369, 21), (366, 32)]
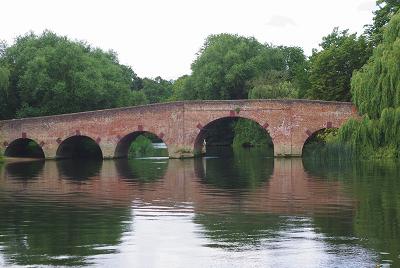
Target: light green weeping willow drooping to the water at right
[(376, 93)]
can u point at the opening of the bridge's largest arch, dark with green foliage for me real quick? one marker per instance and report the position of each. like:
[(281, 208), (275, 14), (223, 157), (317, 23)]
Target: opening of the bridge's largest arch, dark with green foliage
[(233, 132)]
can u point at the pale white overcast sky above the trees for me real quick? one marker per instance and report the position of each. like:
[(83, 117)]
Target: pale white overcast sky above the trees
[(162, 37)]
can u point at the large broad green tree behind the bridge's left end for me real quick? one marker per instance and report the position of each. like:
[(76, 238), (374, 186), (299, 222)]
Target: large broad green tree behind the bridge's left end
[(50, 74)]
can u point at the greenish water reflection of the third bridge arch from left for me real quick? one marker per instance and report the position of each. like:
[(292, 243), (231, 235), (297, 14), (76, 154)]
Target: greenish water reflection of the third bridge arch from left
[(142, 170)]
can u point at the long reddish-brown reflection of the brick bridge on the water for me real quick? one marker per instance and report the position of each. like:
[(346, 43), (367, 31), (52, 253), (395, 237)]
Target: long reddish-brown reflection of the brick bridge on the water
[(287, 188)]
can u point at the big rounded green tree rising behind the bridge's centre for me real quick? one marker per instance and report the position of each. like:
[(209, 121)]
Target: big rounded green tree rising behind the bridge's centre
[(226, 63)]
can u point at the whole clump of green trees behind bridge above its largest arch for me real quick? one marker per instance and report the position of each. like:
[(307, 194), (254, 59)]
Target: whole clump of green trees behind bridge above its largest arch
[(229, 66)]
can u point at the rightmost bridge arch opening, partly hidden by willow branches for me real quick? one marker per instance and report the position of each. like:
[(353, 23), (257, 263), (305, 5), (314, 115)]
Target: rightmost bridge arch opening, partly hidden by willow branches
[(316, 141)]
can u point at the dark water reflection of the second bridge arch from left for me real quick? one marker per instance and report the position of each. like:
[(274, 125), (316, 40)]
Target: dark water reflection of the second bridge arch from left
[(79, 169)]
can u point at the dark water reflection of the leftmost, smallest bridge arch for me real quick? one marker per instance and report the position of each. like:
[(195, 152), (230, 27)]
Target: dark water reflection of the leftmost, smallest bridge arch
[(24, 170)]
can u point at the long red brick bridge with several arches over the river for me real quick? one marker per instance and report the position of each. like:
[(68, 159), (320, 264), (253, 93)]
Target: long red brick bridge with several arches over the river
[(181, 125)]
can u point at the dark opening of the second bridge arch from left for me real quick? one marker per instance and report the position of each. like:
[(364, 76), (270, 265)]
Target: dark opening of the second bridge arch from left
[(77, 147)]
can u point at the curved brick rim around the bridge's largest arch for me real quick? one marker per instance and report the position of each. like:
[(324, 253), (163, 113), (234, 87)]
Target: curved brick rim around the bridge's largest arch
[(204, 133)]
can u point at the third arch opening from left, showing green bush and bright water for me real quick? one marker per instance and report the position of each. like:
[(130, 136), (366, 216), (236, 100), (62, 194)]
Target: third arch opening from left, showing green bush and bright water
[(141, 144)]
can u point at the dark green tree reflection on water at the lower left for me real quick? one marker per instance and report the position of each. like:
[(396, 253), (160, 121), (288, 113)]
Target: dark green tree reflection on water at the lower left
[(39, 232)]
